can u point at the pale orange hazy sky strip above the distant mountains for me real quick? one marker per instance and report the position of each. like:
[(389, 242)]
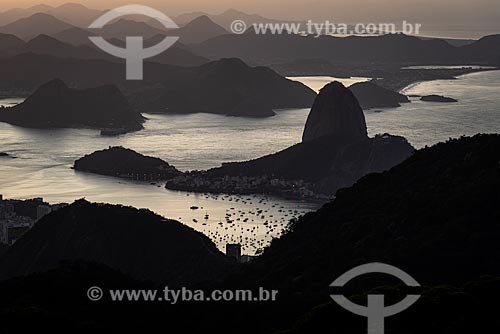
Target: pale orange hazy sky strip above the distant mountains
[(438, 13)]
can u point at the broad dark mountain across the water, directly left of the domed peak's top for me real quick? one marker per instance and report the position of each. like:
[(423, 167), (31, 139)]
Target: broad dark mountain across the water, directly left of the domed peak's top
[(227, 86)]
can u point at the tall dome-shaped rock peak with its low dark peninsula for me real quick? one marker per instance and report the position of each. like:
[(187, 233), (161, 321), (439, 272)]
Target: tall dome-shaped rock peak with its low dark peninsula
[(335, 151)]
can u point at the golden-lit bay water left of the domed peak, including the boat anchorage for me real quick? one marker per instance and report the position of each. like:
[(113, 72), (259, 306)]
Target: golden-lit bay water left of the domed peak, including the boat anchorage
[(42, 167)]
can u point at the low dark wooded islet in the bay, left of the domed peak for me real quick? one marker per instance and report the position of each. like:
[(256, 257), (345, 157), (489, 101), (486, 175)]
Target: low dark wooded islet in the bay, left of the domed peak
[(125, 163)]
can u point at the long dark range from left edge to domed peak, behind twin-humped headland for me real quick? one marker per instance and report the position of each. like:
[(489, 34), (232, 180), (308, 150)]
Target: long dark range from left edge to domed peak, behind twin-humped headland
[(227, 86)]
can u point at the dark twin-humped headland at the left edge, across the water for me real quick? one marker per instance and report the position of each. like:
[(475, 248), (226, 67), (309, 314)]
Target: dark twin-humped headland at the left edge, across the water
[(54, 104)]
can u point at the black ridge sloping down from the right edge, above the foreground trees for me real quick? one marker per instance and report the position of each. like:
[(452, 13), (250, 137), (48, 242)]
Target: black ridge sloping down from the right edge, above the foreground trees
[(437, 215)]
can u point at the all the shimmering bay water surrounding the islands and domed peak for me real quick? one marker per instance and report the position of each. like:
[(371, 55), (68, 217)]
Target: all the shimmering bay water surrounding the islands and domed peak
[(42, 166)]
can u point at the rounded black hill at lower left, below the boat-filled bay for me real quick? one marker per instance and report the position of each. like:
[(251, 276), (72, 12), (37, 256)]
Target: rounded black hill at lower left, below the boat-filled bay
[(138, 243)]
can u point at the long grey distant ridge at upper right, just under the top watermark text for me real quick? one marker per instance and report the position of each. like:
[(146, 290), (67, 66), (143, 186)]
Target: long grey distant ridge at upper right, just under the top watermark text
[(397, 48)]
